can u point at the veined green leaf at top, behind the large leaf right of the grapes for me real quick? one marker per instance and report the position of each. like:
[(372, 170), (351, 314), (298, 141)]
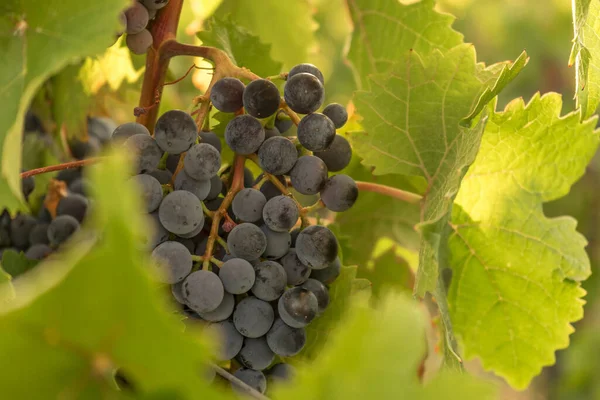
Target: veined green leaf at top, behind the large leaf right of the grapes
[(379, 23)]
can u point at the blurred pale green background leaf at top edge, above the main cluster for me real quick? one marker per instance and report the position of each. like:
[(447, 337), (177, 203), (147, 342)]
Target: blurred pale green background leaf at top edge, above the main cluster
[(271, 22)]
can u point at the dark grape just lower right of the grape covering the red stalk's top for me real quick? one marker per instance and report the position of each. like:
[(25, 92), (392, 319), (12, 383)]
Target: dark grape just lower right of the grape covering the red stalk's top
[(277, 155)]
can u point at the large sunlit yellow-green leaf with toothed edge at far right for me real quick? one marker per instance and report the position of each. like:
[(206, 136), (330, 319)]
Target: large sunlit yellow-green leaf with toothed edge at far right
[(516, 273)]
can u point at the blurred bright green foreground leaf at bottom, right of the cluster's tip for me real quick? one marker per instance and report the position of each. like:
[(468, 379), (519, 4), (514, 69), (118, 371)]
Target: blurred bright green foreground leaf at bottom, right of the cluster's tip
[(375, 354)]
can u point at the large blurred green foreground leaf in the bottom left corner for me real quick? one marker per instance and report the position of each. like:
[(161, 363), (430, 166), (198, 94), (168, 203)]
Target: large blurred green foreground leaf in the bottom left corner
[(89, 309)]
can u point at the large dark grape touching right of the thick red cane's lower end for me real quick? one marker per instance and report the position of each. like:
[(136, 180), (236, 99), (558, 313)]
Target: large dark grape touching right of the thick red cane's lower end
[(175, 131)]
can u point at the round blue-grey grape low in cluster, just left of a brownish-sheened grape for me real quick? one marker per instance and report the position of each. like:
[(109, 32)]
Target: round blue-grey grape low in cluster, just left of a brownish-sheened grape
[(253, 317)]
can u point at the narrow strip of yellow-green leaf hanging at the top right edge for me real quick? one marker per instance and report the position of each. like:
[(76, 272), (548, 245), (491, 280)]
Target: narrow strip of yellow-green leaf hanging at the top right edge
[(586, 55)]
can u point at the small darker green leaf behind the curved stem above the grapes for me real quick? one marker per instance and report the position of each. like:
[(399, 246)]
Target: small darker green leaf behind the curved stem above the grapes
[(244, 48)]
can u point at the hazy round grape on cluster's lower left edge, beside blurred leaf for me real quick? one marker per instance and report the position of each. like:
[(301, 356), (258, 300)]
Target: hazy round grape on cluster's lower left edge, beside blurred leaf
[(173, 262)]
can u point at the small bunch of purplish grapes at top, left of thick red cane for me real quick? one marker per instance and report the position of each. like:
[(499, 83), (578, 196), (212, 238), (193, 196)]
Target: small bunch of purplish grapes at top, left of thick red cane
[(135, 20)]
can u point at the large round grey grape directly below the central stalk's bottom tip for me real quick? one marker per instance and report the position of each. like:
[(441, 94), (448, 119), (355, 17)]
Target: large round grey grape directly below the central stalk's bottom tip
[(203, 291)]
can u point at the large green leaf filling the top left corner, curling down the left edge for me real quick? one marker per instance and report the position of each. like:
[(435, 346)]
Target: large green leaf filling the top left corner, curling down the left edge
[(38, 39)]
